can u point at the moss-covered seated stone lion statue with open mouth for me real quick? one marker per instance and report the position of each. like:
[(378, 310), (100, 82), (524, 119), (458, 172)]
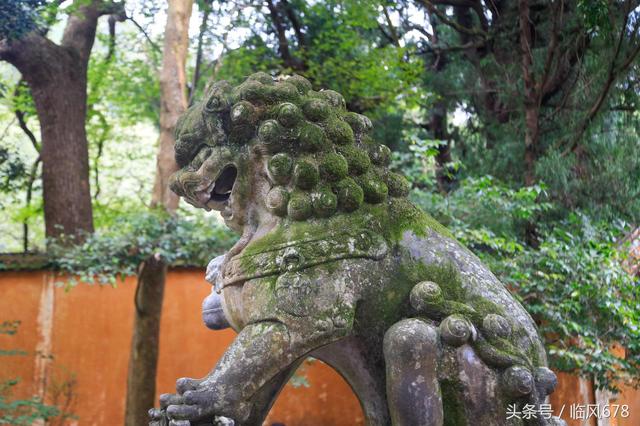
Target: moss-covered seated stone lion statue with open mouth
[(336, 263)]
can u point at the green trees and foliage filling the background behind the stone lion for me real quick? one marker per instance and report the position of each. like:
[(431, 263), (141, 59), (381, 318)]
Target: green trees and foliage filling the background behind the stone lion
[(517, 123)]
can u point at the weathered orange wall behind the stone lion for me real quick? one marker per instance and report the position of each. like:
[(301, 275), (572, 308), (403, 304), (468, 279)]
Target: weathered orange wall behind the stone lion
[(83, 335)]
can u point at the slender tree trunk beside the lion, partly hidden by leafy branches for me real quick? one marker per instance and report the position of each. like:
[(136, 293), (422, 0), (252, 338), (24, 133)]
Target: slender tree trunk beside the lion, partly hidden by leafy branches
[(143, 361)]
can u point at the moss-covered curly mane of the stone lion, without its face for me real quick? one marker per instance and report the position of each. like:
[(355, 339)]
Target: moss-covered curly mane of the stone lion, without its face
[(312, 144)]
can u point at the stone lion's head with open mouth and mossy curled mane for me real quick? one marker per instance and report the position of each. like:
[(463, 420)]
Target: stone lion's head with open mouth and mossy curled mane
[(276, 148)]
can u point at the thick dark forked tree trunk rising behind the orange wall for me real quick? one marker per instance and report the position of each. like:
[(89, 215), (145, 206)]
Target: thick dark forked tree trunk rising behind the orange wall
[(57, 77)]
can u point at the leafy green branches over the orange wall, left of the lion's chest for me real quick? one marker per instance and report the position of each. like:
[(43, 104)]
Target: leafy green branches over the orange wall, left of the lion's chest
[(117, 250)]
